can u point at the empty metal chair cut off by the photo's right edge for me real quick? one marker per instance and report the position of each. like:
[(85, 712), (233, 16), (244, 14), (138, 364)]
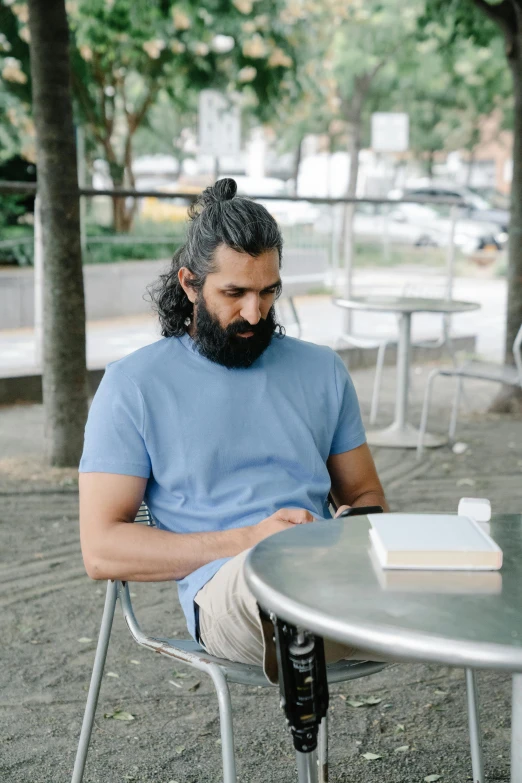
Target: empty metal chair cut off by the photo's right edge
[(483, 371)]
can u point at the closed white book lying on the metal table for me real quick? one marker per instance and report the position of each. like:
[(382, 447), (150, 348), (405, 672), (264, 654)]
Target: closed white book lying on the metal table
[(432, 541)]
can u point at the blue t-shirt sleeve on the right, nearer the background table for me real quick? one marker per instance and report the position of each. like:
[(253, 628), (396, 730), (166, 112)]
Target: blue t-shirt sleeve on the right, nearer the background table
[(349, 431)]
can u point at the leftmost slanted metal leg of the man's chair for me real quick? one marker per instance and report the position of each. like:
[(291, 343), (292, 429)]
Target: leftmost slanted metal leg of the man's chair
[(96, 677)]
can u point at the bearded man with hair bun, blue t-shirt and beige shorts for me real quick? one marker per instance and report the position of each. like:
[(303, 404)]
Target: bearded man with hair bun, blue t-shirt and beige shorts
[(230, 430)]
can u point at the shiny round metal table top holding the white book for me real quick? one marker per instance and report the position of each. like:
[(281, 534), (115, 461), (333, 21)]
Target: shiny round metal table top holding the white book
[(320, 576)]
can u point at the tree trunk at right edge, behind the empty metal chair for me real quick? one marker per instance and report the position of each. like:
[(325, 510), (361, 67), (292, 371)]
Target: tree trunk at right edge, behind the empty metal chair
[(510, 397)]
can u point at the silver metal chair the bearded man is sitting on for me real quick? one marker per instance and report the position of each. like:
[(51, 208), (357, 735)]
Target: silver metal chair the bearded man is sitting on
[(220, 670)]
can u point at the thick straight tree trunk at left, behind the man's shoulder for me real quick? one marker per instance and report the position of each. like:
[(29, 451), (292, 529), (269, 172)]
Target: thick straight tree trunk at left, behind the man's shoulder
[(64, 356)]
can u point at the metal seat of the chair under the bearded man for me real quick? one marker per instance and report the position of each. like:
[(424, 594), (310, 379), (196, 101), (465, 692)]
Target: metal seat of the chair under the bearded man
[(249, 674)]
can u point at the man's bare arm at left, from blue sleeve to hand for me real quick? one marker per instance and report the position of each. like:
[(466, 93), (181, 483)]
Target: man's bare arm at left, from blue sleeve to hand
[(113, 548)]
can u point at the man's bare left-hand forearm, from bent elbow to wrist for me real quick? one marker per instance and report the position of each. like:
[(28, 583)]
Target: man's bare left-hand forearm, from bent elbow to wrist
[(137, 553)]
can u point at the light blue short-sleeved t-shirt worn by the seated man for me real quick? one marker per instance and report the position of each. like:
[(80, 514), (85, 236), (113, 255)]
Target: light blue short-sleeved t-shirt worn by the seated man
[(223, 448)]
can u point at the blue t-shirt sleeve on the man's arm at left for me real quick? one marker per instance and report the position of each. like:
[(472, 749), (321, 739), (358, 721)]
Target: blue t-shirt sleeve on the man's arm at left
[(114, 433)]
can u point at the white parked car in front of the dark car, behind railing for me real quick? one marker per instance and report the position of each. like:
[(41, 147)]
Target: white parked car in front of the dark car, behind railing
[(420, 225)]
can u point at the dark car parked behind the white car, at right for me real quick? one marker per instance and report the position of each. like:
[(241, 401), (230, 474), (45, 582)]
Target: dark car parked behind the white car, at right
[(474, 208)]
